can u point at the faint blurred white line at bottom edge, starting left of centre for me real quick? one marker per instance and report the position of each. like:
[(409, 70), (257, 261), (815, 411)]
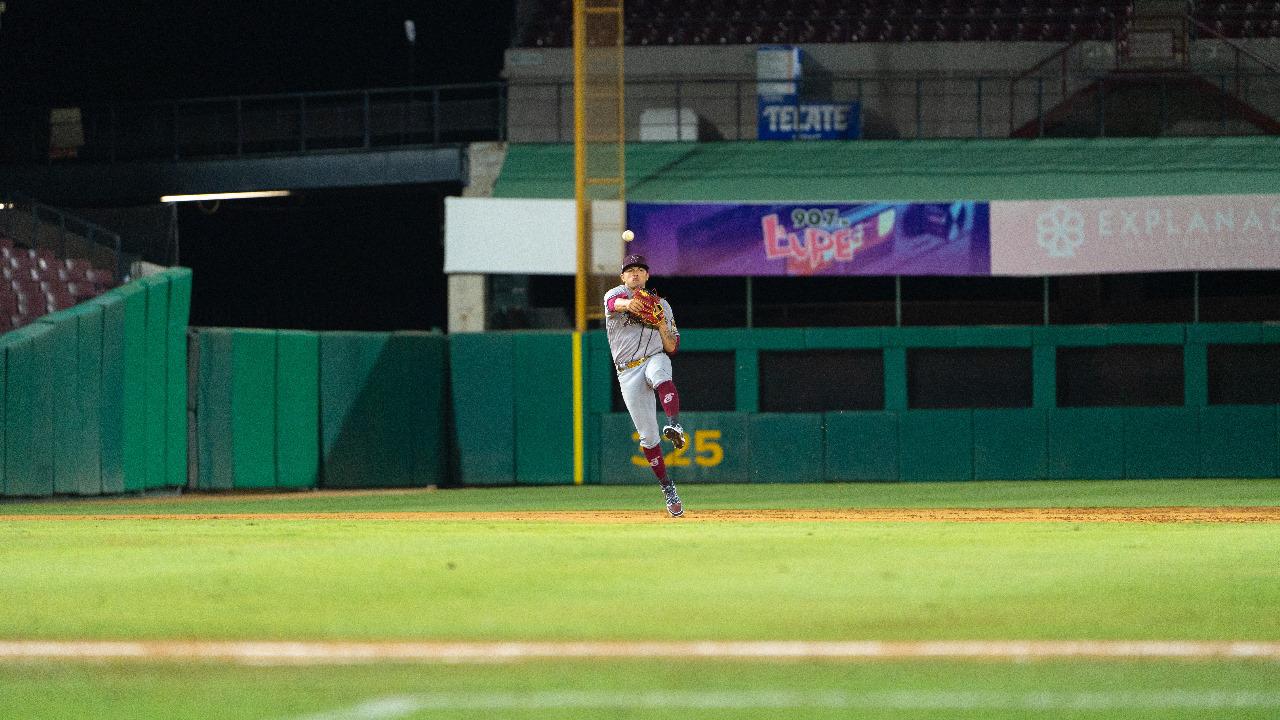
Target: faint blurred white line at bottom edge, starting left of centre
[(1168, 700)]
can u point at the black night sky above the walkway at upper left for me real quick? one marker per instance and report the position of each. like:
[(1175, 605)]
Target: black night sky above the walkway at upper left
[(63, 52)]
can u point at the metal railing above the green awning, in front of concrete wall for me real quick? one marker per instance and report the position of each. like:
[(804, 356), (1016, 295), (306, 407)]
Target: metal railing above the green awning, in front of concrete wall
[(920, 108)]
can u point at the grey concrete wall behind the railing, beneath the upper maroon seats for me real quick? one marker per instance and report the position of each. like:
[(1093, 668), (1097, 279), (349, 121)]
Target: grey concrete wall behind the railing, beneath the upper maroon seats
[(907, 90)]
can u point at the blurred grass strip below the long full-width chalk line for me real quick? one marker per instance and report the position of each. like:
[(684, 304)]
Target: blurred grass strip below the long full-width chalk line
[(49, 690)]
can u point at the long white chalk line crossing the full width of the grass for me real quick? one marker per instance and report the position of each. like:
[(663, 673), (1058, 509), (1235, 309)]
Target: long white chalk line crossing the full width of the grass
[(354, 653)]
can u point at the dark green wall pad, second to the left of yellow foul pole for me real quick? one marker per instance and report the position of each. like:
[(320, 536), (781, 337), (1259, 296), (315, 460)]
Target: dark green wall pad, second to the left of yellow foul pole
[(482, 371)]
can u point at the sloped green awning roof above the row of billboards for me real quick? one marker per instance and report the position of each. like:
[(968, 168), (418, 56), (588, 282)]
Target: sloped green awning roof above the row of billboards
[(913, 170)]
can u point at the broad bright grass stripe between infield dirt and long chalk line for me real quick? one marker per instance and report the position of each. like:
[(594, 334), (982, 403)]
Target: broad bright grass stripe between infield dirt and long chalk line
[(671, 581)]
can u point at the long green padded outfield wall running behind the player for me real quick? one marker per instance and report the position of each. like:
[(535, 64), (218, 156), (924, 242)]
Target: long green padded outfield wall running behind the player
[(97, 403)]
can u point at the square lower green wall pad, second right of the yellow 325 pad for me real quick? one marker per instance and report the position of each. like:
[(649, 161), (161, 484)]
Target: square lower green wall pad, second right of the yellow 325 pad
[(861, 446)]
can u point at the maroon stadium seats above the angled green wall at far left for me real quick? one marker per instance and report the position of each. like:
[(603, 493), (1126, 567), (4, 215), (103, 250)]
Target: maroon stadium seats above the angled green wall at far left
[(39, 282)]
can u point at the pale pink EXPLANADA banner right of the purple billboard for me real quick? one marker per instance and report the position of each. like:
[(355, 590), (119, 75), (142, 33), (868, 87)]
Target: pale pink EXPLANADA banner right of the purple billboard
[(1133, 235)]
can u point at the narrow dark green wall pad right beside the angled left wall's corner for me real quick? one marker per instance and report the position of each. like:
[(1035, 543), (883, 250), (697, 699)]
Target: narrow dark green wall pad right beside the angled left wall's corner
[(216, 455)]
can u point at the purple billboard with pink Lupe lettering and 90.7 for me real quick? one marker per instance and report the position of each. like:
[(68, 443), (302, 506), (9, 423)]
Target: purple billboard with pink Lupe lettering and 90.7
[(815, 239)]
